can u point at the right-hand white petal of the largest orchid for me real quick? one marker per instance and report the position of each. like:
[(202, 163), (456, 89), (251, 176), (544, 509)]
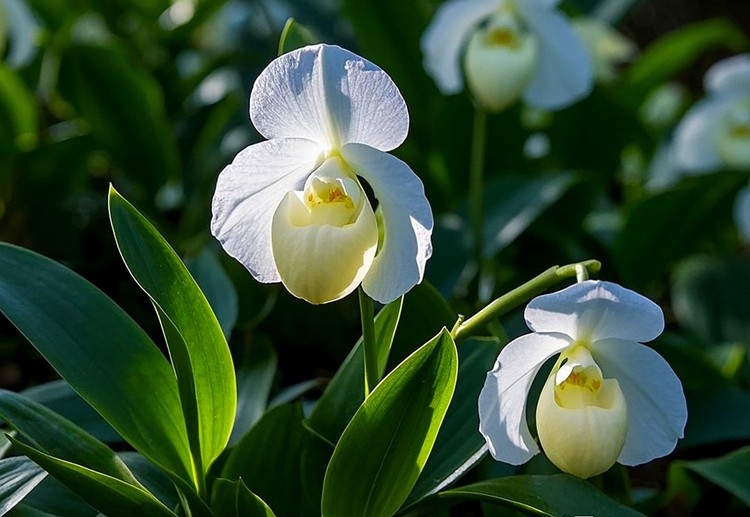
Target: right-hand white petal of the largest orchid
[(407, 222)]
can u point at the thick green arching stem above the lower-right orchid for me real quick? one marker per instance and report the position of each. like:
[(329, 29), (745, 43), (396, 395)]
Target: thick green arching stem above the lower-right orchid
[(523, 294)]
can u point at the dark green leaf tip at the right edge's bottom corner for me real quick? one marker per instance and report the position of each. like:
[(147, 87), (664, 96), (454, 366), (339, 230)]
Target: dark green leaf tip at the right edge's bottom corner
[(729, 472)]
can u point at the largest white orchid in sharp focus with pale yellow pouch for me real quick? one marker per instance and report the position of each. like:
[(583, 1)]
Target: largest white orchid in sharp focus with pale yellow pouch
[(293, 209)]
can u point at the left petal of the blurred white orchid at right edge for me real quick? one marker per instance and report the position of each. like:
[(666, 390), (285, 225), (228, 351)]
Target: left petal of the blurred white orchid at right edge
[(695, 139)]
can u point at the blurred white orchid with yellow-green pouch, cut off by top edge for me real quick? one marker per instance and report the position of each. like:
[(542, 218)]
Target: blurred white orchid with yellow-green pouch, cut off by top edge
[(508, 49)]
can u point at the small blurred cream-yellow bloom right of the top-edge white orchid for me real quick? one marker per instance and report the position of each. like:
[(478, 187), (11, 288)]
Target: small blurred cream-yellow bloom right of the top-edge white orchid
[(607, 48)]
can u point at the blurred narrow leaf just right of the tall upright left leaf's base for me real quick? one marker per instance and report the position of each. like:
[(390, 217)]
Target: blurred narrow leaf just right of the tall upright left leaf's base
[(254, 381)]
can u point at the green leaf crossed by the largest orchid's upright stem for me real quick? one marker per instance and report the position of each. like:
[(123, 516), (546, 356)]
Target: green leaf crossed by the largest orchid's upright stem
[(345, 392)]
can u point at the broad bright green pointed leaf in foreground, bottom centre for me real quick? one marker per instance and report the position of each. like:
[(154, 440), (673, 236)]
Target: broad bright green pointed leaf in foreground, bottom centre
[(383, 449)]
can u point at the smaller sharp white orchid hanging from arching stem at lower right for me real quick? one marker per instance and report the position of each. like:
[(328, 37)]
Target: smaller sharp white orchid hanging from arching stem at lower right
[(608, 398)]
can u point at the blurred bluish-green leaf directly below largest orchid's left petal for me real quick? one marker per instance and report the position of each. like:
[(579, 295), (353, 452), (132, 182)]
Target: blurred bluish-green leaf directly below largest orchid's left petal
[(216, 285)]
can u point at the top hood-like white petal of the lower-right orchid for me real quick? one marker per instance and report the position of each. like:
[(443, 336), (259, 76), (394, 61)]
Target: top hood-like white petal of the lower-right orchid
[(594, 310)]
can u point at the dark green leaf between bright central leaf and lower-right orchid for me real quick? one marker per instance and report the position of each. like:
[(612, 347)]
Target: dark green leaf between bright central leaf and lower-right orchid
[(459, 445)]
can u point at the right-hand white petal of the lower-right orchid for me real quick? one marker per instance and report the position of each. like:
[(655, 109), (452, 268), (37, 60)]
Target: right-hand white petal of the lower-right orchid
[(657, 411)]
